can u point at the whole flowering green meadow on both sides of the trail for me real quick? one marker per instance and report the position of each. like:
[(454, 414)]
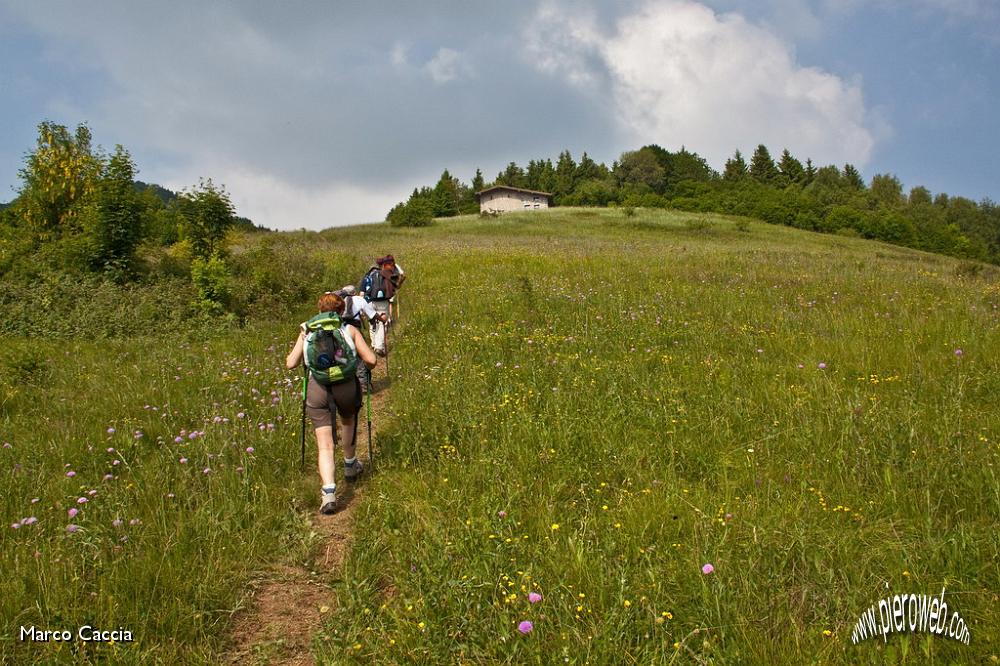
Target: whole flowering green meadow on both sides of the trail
[(587, 406)]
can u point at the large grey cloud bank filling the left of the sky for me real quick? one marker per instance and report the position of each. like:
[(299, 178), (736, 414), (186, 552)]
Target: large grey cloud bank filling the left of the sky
[(324, 100)]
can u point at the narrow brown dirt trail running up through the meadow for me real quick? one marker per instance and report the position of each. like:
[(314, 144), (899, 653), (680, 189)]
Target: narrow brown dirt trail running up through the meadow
[(288, 601)]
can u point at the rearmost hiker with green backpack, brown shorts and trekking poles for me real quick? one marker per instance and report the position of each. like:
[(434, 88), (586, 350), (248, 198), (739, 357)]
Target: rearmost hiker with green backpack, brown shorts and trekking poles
[(331, 351)]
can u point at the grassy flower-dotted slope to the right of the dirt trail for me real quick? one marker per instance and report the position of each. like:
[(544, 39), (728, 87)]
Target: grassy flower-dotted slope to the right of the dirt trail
[(592, 407)]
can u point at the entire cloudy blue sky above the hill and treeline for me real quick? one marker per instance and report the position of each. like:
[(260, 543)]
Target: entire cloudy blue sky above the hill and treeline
[(315, 114)]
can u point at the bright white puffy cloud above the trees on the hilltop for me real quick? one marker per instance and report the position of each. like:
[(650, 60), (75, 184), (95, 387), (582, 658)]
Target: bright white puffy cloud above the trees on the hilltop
[(681, 74)]
